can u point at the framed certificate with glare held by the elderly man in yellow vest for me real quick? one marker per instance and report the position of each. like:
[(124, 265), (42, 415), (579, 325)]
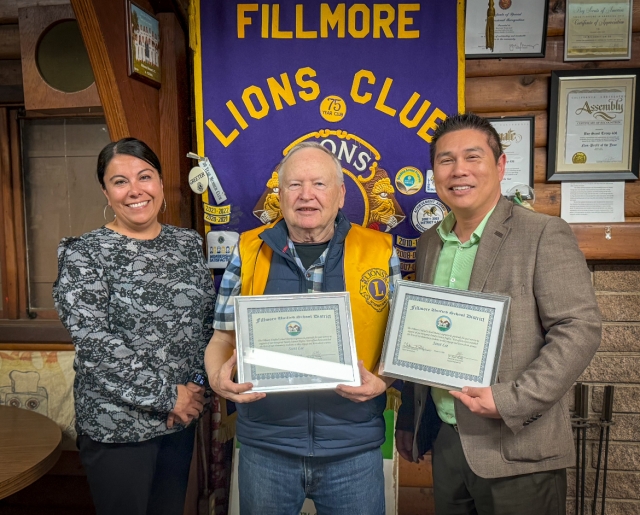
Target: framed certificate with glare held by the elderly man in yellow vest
[(295, 342)]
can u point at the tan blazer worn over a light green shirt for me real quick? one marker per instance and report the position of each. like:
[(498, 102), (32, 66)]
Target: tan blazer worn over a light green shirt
[(553, 331)]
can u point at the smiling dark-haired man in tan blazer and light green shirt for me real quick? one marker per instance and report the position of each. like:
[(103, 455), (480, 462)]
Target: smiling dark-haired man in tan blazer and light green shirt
[(501, 450)]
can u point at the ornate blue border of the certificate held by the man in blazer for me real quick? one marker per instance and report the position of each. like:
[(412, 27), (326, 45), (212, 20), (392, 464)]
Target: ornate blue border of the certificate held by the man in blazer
[(446, 303)]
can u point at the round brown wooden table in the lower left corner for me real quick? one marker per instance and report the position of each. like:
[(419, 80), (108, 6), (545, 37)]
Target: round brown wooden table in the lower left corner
[(29, 447)]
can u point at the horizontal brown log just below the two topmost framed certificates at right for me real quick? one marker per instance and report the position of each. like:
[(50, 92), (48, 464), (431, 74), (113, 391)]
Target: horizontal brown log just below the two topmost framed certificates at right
[(553, 61)]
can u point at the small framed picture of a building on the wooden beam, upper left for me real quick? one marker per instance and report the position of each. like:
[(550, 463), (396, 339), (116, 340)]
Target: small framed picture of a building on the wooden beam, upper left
[(143, 45)]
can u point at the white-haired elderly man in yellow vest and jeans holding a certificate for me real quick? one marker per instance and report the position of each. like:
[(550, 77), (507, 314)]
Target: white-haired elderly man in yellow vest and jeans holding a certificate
[(324, 445)]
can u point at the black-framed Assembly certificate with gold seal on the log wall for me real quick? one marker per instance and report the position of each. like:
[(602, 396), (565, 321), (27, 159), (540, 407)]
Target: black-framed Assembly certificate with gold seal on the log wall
[(593, 125)]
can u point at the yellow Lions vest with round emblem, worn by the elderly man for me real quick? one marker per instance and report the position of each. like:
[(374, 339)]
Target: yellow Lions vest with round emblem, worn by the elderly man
[(366, 269)]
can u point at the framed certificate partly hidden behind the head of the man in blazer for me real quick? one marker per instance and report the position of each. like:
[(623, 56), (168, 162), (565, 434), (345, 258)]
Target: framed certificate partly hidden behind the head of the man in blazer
[(517, 138)]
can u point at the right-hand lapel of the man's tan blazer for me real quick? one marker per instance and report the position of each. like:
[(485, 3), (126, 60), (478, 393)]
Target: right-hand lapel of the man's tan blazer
[(493, 236)]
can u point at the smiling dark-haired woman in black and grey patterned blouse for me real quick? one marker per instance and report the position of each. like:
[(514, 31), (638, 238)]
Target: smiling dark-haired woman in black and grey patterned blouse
[(137, 299)]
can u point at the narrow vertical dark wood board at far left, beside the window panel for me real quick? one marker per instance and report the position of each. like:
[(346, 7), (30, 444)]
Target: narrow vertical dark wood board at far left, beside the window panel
[(18, 213)]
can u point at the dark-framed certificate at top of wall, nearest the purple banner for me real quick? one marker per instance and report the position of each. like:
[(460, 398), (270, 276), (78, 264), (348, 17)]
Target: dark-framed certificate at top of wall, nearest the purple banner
[(505, 28)]
